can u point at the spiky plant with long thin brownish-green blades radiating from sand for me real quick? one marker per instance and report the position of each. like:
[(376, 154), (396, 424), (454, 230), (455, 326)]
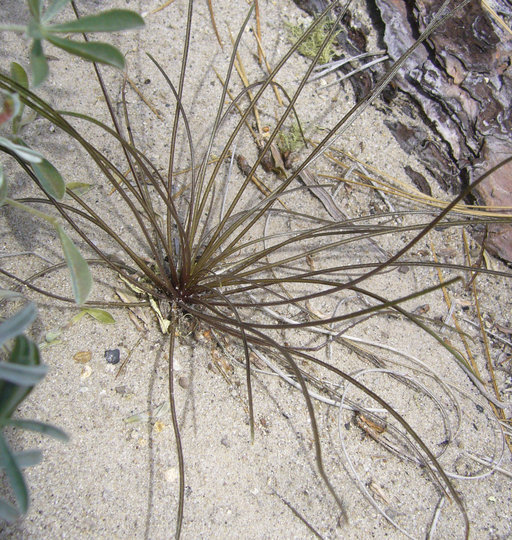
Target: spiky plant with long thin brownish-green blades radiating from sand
[(208, 254)]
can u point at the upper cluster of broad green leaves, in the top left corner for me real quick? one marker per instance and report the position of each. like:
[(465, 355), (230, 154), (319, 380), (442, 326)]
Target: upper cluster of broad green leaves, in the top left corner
[(40, 28)]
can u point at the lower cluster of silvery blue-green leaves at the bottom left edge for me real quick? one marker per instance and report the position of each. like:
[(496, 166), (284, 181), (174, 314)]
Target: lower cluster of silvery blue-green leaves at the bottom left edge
[(20, 370)]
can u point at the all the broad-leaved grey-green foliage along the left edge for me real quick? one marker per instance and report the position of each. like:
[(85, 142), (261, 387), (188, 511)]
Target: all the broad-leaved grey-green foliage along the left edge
[(20, 366)]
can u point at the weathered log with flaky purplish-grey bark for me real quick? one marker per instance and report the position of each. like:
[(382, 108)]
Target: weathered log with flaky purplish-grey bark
[(461, 80)]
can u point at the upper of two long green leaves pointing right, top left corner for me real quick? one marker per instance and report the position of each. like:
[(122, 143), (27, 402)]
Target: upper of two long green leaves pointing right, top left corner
[(106, 21)]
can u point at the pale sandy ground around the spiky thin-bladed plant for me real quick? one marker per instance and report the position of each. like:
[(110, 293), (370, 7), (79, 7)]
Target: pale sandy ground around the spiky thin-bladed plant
[(119, 479)]
